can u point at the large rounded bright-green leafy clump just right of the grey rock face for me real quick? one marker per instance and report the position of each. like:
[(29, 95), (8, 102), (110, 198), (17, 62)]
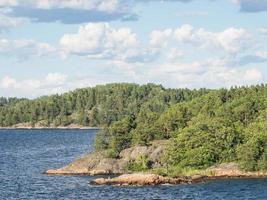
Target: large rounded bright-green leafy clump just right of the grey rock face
[(204, 142)]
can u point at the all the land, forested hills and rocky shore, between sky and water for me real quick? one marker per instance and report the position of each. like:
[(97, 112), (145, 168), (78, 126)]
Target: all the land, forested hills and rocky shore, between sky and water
[(166, 136)]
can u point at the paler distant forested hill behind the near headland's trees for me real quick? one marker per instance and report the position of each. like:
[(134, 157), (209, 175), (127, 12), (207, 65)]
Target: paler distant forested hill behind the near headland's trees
[(96, 107)]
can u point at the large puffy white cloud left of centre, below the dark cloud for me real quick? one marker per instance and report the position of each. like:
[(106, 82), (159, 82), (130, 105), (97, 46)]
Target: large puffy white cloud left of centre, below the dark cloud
[(101, 41)]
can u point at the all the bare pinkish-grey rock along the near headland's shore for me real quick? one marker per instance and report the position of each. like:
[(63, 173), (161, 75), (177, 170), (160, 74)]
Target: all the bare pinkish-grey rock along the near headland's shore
[(96, 163)]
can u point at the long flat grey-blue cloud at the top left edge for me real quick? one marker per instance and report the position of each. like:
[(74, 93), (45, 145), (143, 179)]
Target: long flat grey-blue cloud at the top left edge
[(69, 11)]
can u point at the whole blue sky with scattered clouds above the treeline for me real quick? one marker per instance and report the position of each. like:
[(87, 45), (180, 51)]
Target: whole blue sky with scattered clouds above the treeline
[(54, 46)]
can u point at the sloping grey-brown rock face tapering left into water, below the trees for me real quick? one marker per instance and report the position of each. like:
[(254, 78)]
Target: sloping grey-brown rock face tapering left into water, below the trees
[(97, 164)]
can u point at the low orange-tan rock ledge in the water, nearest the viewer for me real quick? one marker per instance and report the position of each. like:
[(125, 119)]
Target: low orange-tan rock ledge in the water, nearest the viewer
[(144, 179)]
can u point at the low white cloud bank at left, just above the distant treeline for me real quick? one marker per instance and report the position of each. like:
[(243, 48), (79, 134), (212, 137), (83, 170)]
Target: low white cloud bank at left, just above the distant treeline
[(52, 83)]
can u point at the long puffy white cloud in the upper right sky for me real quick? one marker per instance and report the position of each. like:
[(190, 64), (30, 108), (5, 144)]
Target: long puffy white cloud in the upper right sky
[(231, 40)]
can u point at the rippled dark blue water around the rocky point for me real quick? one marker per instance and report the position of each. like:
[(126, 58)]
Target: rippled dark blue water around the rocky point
[(25, 154)]
